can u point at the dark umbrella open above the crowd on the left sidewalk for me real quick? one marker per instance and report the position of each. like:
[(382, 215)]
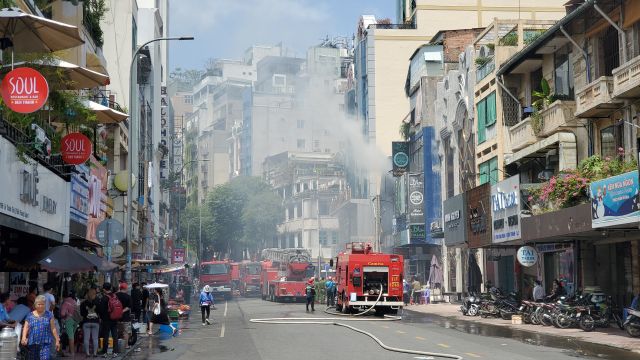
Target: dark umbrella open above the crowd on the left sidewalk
[(66, 258)]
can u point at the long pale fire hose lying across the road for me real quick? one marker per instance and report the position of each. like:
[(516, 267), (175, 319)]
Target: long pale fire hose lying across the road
[(337, 321)]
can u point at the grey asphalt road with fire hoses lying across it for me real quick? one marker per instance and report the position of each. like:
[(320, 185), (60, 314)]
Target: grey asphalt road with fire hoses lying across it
[(233, 337)]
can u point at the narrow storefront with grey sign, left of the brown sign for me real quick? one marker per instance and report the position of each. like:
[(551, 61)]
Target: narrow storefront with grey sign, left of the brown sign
[(455, 236)]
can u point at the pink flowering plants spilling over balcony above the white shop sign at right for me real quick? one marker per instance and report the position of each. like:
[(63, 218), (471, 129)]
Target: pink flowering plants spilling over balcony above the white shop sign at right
[(571, 187)]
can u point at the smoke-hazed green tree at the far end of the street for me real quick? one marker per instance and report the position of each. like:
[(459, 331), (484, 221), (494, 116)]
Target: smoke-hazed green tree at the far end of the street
[(239, 216)]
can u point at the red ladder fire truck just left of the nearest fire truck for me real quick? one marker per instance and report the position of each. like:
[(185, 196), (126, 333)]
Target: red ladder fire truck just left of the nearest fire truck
[(284, 274)]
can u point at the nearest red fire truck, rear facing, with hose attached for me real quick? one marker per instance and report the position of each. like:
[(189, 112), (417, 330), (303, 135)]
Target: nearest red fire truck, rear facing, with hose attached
[(368, 279)]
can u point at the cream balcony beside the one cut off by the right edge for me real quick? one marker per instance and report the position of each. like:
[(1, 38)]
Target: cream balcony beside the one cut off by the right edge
[(594, 100)]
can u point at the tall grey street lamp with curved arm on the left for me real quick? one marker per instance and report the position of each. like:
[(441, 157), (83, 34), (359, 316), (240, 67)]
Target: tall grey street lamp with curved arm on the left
[(133, 131)]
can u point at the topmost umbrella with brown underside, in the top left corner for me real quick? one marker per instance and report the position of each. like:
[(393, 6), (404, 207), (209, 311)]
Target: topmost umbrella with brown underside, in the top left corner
[(29, 33)]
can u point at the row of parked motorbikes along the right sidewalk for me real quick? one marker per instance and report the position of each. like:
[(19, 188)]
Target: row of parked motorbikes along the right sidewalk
[(586, 311)]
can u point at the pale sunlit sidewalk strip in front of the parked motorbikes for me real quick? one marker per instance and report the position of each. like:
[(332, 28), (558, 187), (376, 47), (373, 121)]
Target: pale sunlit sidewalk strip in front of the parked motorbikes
[(448, 315)]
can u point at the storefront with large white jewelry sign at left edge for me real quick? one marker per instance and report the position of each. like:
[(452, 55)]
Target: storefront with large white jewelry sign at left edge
[(34, 215)]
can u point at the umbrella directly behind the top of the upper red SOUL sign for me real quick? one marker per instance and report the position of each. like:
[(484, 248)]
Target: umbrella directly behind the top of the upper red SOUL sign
[(80, 77)]
